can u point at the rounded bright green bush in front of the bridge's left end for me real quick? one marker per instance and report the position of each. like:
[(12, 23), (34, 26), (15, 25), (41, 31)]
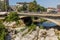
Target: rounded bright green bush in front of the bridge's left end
[(12, 17)]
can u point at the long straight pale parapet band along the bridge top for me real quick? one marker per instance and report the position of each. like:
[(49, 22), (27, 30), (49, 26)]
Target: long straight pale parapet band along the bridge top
[(35, 14)]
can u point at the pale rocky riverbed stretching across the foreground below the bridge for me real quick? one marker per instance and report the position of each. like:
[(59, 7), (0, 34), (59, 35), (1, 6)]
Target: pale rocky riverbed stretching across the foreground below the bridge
[(38, 34)]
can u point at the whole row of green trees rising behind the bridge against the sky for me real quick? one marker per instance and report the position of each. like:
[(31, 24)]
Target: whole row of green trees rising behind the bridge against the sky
[(32, 7)]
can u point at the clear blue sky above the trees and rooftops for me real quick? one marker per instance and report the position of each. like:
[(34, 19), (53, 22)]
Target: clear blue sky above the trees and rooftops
[(45, 3)]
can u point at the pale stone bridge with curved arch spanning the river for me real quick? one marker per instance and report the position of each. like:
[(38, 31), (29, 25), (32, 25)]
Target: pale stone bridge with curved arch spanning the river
[(55, 18)]
